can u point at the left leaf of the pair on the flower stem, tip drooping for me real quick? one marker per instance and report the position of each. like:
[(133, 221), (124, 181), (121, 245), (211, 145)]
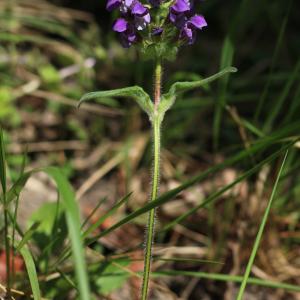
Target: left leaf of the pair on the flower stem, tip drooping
[(134, 92)]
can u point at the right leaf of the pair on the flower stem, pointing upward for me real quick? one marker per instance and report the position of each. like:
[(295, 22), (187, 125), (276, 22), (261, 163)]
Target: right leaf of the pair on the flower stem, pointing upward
[(180, 87)]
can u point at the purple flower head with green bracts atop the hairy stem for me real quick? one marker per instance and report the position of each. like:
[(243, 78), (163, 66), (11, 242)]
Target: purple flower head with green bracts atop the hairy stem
[(152, 25)]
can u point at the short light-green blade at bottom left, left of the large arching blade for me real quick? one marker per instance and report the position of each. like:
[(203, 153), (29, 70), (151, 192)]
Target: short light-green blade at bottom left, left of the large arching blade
[(31, 270)]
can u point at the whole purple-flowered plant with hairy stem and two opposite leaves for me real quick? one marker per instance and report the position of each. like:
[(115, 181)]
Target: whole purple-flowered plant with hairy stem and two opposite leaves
[(158, 28)]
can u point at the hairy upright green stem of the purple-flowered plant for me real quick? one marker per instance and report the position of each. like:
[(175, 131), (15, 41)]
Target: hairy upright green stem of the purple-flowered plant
[(156, 122)]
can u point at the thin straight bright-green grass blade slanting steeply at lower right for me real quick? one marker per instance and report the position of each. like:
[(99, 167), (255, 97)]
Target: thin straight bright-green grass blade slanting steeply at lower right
[(260, 232)]
